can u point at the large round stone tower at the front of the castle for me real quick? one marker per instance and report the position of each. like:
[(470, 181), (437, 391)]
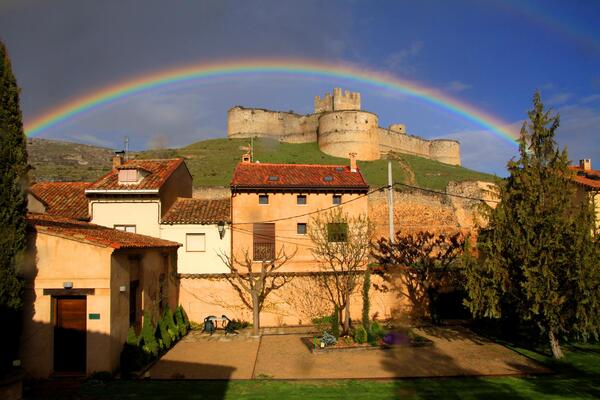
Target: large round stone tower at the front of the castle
[(344, 132)]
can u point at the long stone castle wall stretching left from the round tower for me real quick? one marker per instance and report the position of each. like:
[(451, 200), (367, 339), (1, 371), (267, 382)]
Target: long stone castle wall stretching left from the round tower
[(283, 126)]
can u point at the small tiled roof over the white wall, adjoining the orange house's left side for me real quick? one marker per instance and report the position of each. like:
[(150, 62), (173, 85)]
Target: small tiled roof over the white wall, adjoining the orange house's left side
[(198, 211)]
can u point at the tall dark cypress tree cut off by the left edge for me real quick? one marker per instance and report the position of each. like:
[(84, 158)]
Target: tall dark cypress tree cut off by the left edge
[(13, 182)]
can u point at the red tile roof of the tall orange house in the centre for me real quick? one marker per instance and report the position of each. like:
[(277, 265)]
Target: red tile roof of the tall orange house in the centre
[(280, 176)]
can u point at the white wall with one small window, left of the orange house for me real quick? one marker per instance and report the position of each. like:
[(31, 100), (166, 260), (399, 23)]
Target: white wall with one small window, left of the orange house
[(199, 262)]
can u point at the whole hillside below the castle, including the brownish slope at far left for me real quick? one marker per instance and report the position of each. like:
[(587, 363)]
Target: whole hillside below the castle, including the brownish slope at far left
[(211, 162)]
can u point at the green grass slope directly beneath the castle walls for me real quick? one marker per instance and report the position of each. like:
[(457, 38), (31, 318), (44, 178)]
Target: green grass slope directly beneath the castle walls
[(211, 163)]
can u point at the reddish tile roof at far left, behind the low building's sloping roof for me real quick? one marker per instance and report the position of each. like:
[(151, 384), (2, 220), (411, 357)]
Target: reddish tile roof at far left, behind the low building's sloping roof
[(63, 198)]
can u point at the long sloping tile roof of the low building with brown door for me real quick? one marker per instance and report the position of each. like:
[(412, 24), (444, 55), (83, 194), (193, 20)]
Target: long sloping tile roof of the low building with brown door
[(94, 234)]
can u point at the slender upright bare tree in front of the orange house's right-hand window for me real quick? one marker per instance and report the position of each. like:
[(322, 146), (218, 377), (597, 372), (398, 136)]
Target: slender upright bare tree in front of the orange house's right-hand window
[(341, 246)]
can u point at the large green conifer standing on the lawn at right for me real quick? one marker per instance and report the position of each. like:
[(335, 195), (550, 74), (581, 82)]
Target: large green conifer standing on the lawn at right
[(538, 257)]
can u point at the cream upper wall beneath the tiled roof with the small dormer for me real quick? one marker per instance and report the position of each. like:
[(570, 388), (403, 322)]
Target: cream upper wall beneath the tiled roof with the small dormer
[(144, 214)]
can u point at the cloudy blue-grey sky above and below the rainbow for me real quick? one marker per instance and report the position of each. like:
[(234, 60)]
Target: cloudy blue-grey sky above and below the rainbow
[(490, 55)]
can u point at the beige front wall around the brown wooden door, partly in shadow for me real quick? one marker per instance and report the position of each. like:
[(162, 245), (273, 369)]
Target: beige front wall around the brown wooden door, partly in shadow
[(51, 262)]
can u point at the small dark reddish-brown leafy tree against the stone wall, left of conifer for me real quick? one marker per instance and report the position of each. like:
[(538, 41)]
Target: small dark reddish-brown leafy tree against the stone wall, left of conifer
[(424, 263)]
